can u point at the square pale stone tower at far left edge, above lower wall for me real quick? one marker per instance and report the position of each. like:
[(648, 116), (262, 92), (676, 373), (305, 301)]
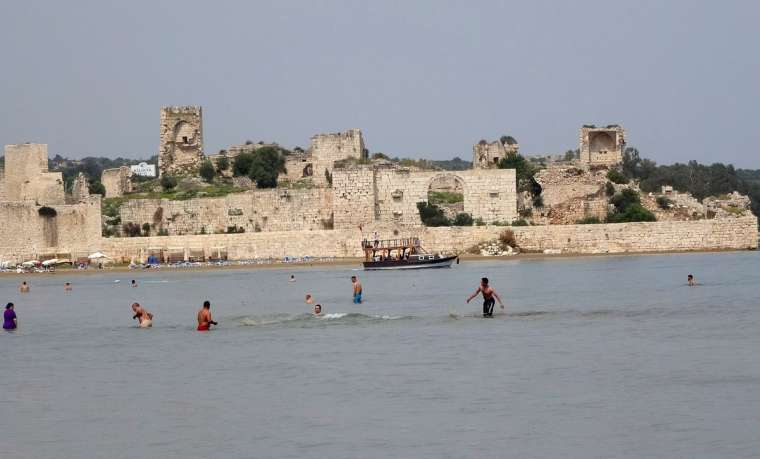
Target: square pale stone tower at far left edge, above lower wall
[(27, 177)]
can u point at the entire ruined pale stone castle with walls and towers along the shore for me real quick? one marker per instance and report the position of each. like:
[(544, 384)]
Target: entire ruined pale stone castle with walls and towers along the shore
[(342, 196)]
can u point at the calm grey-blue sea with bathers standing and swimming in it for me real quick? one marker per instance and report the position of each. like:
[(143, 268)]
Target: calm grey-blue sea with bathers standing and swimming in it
[(595, 357)]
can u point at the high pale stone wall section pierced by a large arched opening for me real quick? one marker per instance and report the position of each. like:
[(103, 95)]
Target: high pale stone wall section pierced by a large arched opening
[(368, 194)]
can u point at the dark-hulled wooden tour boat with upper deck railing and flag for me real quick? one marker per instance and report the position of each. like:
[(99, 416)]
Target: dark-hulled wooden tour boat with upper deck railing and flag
[(404, 253)]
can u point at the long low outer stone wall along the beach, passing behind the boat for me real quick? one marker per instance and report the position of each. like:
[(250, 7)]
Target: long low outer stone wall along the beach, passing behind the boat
[(727, 234)]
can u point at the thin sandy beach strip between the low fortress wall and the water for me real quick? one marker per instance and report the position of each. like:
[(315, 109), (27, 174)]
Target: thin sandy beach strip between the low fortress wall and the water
[(356, 262)]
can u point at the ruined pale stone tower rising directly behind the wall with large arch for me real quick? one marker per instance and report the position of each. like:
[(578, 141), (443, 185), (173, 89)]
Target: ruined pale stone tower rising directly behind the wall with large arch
[(325, 149)]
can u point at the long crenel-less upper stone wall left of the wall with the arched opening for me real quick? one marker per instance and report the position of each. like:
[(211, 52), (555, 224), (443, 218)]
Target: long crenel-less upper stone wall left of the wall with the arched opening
[(253, 211)]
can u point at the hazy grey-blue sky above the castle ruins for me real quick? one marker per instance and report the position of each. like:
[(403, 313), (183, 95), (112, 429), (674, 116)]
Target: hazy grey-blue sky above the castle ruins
[(420, 78)]
